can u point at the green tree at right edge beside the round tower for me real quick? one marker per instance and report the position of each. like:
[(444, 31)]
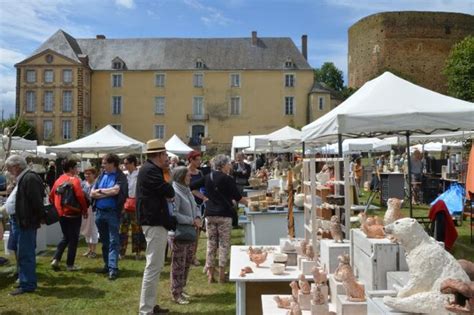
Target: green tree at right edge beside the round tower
[(459, 70)]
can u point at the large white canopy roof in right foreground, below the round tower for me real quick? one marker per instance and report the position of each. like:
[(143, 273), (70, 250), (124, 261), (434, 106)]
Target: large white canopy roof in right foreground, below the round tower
[(389, 104)]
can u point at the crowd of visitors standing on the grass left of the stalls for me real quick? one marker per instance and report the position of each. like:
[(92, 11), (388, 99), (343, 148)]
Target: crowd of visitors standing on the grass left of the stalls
[(162, 202)]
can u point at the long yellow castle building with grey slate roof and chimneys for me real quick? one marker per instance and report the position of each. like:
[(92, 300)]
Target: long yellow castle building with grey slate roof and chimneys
[(155, 87)]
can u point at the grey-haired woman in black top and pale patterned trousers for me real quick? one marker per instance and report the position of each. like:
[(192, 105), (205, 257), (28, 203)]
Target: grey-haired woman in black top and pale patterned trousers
[(222, 193)]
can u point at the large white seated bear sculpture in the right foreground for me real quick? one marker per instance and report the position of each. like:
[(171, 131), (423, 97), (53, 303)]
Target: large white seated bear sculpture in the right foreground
[(429, 265)]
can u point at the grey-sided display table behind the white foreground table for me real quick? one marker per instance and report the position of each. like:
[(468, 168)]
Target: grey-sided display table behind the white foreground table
[(266, 228)]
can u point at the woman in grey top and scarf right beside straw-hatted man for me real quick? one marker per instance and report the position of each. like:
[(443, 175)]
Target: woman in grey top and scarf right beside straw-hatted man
[(186, 214)]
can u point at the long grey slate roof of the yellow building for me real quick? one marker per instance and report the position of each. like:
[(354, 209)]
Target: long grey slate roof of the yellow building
[(180, 53)]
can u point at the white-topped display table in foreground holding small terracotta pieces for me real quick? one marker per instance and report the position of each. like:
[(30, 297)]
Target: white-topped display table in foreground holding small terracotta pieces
[(250, 288)]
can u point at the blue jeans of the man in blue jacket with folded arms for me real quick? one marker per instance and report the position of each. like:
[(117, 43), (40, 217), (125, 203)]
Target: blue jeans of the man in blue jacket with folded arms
[(108, 223)]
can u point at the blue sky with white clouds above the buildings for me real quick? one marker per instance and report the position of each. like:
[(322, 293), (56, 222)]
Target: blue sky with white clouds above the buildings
[(25, 24)]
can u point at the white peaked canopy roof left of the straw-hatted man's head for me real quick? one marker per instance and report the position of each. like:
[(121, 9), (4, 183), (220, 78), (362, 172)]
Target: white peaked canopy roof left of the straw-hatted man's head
[(107, 139)]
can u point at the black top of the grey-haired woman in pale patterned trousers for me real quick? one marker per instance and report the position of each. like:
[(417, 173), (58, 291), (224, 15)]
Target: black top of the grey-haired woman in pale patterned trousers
[(221, 191)]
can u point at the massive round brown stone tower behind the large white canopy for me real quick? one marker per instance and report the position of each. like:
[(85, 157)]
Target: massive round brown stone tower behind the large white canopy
[(412, 45)]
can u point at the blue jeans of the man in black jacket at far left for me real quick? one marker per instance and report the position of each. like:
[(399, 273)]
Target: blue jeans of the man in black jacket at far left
[(27, 258)]
